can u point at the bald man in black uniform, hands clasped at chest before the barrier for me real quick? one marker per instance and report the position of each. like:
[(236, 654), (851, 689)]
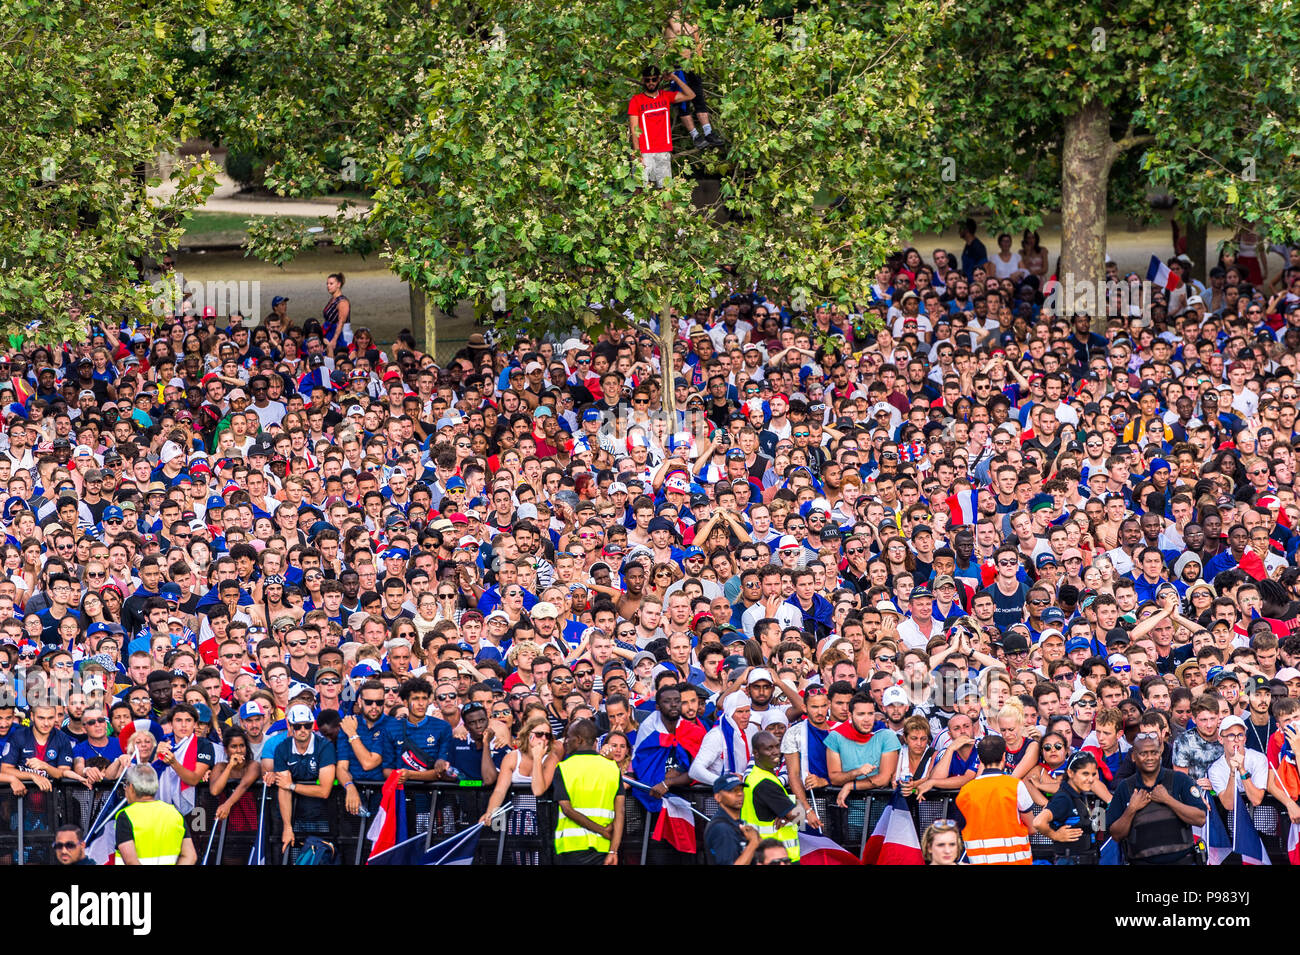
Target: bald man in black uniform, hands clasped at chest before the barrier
[(1154, 811)]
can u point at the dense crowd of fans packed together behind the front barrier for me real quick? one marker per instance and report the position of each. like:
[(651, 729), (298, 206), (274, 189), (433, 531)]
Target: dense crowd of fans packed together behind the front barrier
[(946, 544)]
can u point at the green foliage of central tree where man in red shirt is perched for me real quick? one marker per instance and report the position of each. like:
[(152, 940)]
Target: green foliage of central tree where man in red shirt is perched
[(518, 181)]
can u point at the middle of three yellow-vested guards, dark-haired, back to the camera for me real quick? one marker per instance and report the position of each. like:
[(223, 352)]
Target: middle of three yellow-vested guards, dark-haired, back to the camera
[(591, 795)]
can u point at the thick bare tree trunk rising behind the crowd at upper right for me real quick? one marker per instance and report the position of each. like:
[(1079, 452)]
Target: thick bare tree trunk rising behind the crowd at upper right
[(1086, 163)]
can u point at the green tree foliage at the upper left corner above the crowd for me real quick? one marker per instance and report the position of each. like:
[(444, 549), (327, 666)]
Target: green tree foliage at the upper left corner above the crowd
[(88, 94)]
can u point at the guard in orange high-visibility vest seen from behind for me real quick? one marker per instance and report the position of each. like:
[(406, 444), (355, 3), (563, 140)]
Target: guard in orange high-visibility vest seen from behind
[(996, 811)]
